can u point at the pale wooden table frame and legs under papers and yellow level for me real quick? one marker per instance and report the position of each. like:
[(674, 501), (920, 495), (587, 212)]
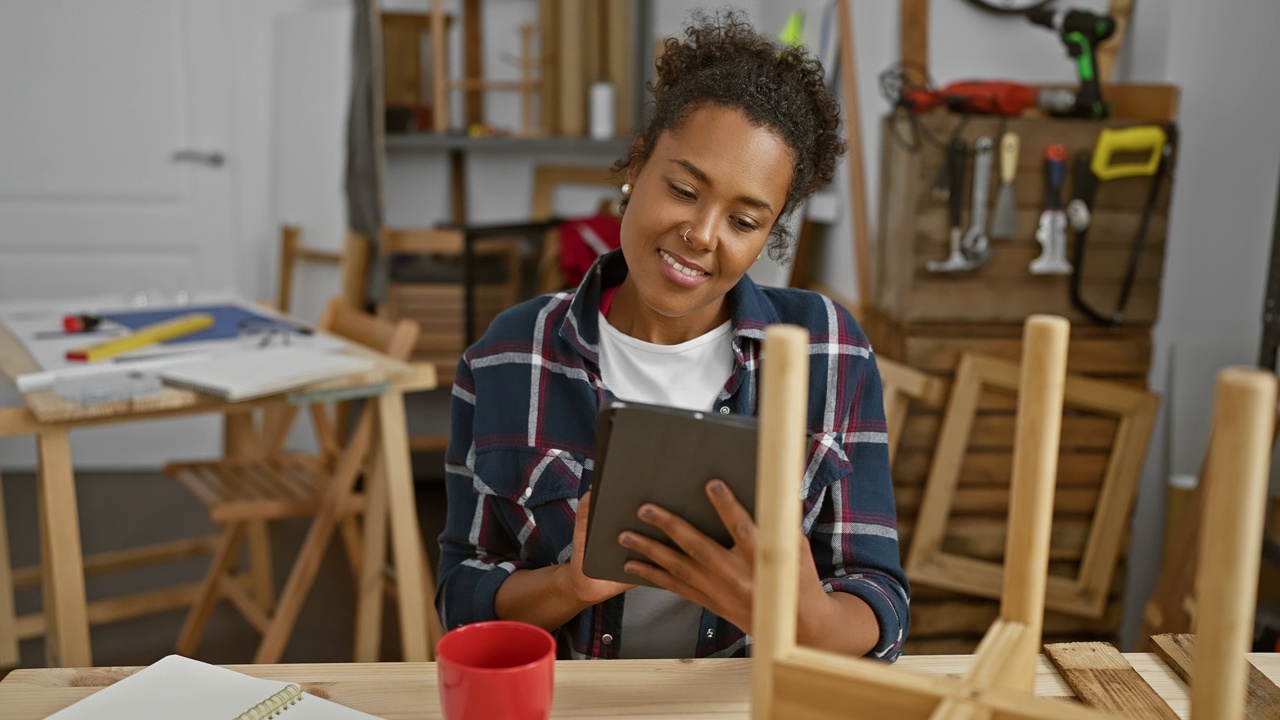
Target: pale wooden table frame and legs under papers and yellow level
[(52, 418)]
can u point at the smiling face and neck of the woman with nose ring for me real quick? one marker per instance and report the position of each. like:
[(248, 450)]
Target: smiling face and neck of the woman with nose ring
[(724, 181)]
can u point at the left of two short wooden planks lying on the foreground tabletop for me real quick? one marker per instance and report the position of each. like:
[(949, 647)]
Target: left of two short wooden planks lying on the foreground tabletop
[(1103, 678)]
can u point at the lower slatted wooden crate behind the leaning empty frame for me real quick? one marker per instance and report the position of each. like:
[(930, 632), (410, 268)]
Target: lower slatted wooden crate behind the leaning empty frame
[(945, 622)]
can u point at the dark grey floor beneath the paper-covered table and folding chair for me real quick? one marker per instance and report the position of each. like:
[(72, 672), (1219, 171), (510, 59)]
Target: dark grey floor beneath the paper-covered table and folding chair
[(126, 511)]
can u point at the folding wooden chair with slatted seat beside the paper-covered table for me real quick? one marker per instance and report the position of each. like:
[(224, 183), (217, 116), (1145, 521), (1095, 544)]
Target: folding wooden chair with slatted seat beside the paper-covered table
[(275, 485)]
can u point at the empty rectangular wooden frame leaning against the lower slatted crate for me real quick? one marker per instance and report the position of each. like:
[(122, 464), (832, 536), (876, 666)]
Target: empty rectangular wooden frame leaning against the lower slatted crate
[(1085, 595)]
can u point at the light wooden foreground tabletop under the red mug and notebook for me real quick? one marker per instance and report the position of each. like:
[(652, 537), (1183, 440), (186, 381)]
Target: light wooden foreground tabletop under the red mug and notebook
[(636, 690)]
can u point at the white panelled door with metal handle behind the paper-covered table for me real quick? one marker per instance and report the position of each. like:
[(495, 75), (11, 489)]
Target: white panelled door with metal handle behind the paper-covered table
[(116, 174)]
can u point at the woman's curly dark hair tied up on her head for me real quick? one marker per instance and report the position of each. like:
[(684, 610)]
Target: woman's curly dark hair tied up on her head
[(724, 61)]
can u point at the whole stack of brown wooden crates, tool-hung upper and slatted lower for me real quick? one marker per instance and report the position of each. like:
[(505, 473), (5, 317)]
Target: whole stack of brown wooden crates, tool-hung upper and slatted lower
[(930, 322)]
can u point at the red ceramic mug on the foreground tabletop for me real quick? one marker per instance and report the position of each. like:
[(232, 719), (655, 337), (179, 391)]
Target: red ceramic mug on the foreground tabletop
[(496, 671)]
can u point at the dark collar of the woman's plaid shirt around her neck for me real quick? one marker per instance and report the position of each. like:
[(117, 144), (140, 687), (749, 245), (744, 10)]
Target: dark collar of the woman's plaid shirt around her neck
[(752, 309)]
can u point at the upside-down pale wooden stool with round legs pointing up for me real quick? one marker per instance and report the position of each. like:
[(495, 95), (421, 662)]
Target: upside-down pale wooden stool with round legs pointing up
[(792, 682)]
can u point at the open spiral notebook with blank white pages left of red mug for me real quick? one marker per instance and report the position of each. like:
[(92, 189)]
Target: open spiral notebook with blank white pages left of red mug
[(180, 687)]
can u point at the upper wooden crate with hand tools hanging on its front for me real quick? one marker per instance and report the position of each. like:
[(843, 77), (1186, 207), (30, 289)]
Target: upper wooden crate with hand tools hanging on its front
[(915, 229)]
